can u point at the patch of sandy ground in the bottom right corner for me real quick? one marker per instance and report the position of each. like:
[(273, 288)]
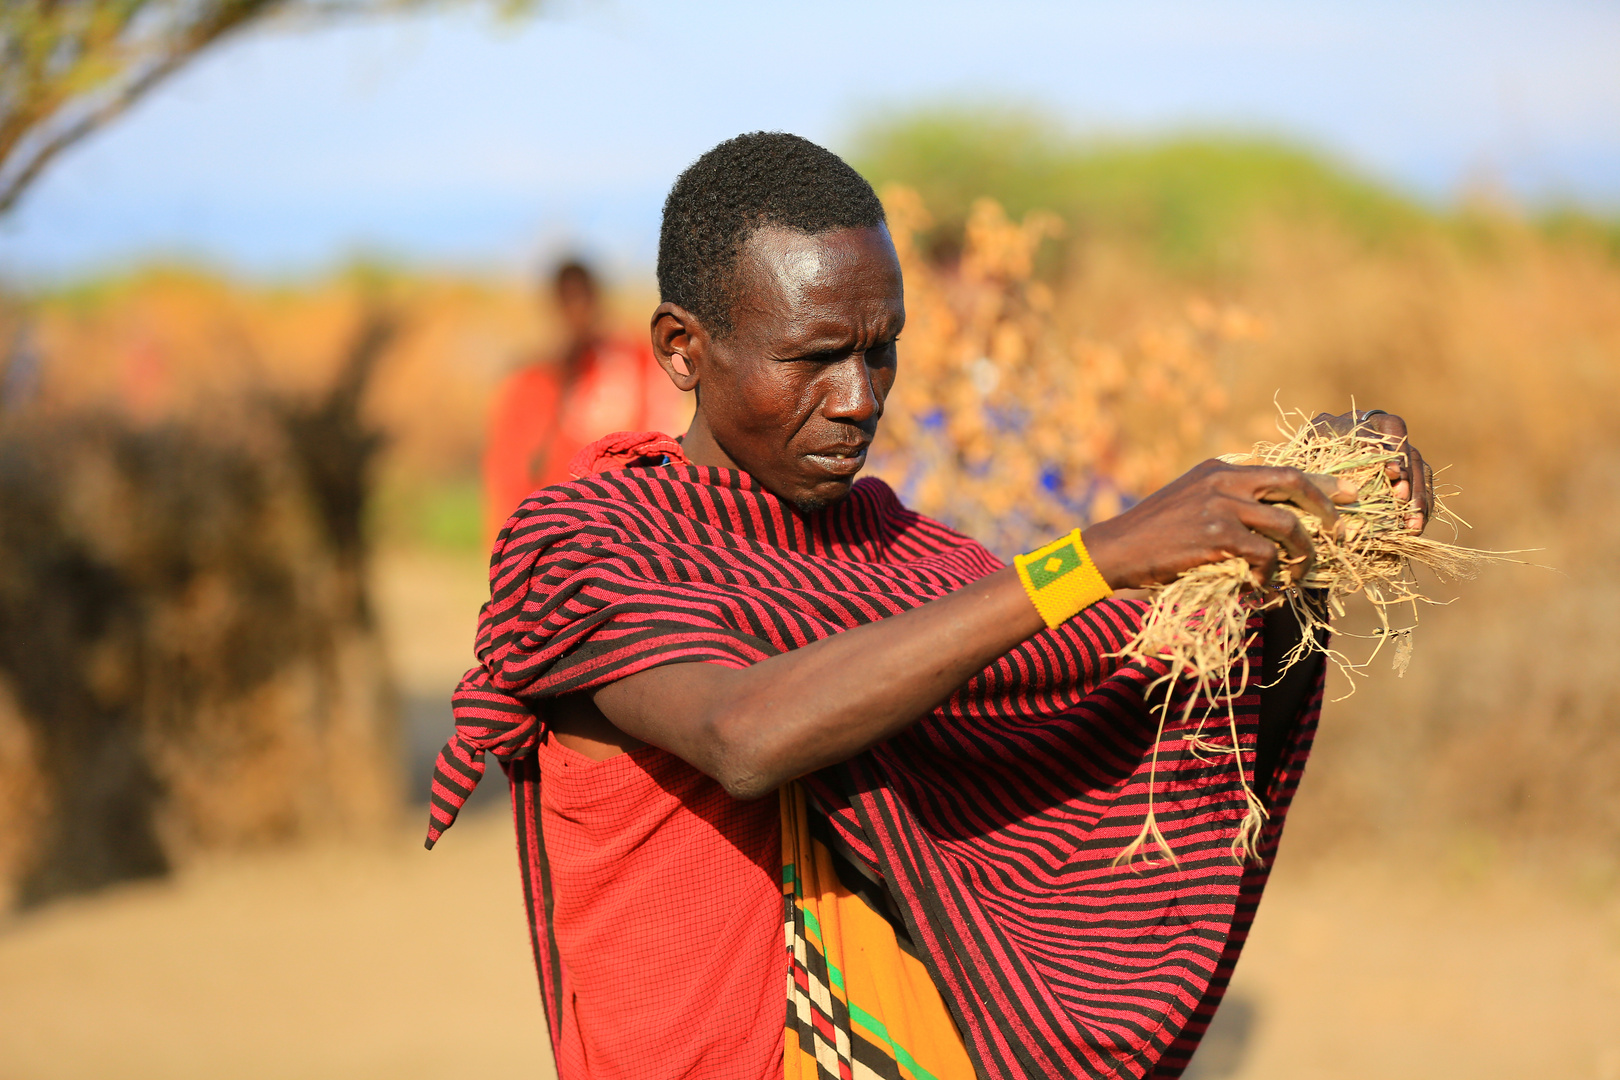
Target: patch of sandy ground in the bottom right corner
[(1378, 972)]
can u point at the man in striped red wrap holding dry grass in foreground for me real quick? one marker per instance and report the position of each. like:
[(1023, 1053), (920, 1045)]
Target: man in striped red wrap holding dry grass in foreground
[(748, 702)]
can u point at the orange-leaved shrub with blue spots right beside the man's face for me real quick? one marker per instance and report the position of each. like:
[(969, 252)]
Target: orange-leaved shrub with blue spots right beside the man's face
[(1013, 419)]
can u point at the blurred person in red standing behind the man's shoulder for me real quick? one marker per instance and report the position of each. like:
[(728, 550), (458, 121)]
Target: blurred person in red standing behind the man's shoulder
[(553, 407)]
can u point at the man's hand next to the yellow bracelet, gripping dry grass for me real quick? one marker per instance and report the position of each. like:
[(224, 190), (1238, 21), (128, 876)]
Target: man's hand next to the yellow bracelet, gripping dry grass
[(1213, 514)]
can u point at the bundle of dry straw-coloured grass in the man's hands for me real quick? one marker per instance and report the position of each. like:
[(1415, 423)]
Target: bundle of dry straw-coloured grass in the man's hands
[(1198, 624)]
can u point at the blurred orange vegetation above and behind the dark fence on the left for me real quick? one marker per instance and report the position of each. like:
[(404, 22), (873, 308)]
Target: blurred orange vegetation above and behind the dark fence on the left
[(177, 344)]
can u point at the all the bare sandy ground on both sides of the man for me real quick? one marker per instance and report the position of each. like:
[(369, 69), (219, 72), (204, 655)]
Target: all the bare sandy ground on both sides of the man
[(378, 959)]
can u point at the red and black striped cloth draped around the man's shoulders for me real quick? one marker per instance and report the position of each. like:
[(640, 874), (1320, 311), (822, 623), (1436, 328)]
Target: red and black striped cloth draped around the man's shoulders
[(994, 822)]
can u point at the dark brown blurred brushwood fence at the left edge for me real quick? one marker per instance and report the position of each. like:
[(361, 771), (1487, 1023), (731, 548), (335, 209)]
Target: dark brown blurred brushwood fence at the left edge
[(187, 657)]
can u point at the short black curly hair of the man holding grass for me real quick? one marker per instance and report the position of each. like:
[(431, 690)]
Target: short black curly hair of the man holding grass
[(746, 184)]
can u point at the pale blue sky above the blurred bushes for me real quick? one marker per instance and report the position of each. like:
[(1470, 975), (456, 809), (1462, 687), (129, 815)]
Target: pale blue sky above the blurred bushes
[(461, 142)]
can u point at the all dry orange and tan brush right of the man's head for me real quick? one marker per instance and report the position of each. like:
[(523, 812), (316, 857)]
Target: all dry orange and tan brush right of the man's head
[(1503, 351)]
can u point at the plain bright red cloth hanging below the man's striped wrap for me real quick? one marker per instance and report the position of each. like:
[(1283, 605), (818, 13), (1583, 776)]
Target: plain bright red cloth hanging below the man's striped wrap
[(668, 921)]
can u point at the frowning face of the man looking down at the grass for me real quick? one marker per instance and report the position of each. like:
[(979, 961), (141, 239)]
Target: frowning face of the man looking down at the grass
[(793, 396)]
